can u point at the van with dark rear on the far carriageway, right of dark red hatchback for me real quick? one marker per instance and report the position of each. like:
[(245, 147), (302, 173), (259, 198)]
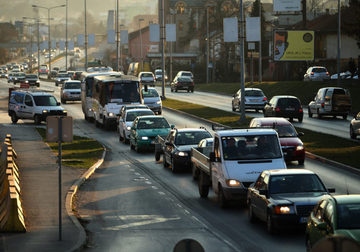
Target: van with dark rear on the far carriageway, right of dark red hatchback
[(330, 101)]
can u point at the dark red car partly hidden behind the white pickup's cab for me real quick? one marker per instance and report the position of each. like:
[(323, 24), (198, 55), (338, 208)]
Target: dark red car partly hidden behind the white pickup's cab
[(293, 148)]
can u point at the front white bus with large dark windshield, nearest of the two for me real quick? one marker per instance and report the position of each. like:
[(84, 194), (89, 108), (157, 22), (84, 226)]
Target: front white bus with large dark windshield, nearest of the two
[(110, 94)]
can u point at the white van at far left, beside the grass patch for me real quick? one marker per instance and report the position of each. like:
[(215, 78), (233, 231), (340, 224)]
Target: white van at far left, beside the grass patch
[(34, 106)]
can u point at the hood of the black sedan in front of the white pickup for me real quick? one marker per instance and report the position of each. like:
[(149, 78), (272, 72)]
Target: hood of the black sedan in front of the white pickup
[(295, 198)]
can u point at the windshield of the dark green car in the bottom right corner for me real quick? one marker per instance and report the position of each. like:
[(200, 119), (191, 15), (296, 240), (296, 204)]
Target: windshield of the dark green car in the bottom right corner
[(348, 216)]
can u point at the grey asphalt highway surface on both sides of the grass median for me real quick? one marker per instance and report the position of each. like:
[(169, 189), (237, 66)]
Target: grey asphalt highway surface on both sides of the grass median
[(133, 203)]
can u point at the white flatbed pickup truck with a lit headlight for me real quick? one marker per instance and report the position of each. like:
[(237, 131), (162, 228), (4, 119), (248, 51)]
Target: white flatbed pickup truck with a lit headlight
[(235, 161)]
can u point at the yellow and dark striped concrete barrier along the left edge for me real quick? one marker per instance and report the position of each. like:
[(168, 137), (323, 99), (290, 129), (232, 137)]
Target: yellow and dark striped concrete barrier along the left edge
[(11, 212)]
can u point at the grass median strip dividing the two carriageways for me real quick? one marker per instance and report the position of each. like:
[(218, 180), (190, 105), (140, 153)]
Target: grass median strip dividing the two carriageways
[(328, 146)]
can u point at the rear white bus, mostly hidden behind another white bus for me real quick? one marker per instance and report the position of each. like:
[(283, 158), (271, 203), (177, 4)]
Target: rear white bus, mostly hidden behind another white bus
[(87, 79)]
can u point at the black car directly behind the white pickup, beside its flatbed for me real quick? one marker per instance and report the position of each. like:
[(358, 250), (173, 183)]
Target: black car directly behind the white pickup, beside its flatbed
[(178, 146)]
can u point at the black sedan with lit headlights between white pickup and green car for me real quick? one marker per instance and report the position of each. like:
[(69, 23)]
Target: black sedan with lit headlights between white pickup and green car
[(285, 198)]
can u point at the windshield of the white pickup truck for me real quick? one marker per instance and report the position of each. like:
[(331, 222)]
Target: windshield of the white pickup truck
[(251, 147)]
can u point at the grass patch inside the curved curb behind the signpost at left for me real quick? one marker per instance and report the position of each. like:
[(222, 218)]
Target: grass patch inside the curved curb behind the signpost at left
[(82, 152)]
